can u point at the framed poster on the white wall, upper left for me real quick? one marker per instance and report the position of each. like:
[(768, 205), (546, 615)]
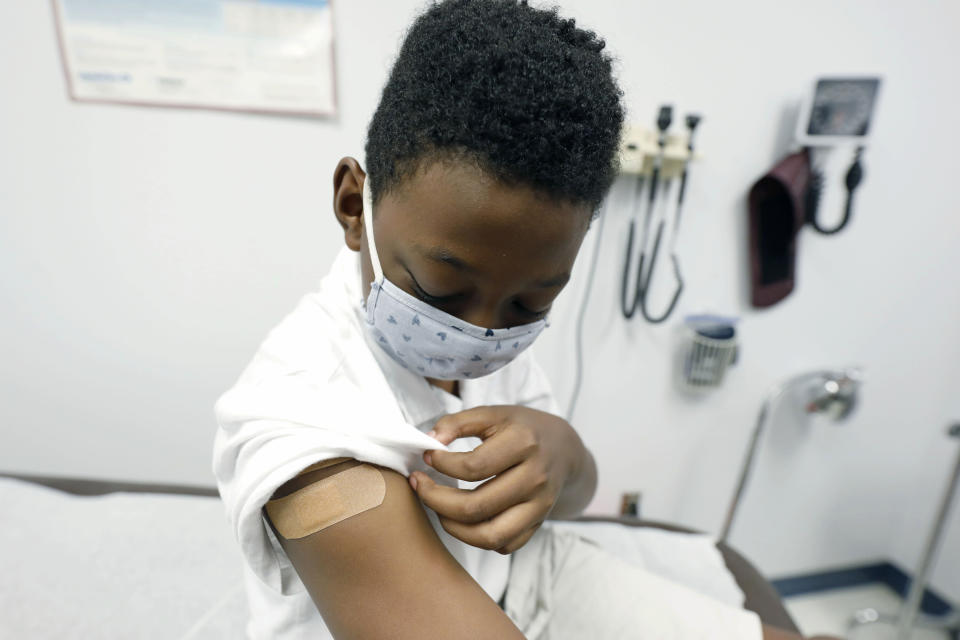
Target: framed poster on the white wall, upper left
[(270, 56)]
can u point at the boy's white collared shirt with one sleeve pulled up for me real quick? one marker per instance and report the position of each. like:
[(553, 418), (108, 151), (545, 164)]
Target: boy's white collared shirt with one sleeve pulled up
[(317, 388)]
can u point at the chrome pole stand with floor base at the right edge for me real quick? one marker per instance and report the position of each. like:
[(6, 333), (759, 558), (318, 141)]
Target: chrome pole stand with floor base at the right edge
[(909, 617)]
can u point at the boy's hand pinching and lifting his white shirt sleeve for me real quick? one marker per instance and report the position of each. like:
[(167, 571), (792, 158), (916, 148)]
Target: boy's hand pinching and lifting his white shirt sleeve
[(532, 454)]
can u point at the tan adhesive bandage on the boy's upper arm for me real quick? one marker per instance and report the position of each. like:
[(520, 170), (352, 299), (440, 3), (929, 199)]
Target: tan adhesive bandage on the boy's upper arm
[(327, 501)]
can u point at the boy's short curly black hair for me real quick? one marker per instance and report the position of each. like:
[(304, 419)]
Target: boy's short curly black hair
[(519, 91)]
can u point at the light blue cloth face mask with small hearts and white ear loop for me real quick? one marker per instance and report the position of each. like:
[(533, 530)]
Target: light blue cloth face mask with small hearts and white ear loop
[(425, 339)]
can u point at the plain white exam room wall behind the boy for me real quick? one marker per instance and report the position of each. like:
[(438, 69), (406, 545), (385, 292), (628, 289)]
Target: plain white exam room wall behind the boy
[(144, 253)]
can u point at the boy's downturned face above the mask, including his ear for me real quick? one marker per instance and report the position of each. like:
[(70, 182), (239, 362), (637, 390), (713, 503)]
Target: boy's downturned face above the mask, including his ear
[(492, 255)]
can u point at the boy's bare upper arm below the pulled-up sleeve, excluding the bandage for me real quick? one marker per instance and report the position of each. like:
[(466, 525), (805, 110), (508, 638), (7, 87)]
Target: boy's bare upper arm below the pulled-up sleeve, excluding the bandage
[(384, 573)]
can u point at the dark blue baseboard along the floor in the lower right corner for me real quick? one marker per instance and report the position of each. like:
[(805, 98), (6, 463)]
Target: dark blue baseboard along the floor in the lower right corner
[(883, 572)]
